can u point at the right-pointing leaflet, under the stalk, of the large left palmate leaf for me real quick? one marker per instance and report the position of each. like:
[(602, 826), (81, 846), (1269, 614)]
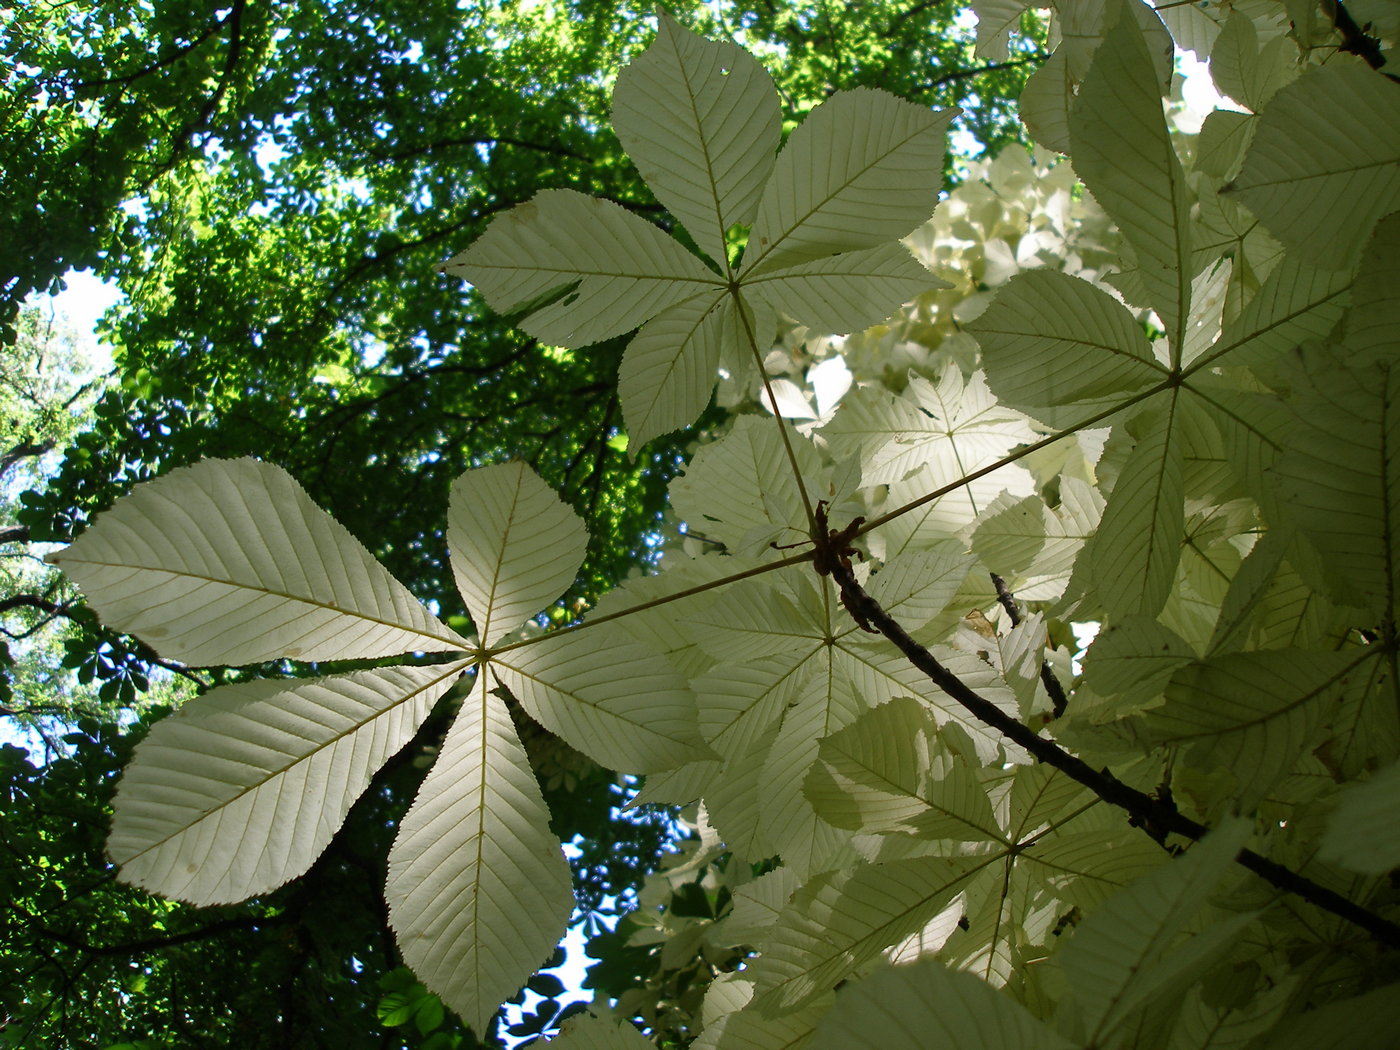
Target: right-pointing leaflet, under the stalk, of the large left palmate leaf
[(608, 696)]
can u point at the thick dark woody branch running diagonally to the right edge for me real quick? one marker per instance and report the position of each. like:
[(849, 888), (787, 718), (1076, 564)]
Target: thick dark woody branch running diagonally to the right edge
[(1146, 811)]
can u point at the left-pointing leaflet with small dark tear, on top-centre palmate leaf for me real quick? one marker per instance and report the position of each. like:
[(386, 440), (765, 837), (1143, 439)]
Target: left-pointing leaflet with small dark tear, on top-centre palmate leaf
[(626, 269)]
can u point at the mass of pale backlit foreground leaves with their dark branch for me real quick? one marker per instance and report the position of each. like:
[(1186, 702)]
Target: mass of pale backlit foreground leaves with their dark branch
[(1182, 432)]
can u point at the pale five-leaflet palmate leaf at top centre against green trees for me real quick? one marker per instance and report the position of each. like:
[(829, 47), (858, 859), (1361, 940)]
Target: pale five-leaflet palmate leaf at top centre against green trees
[(702, 124)]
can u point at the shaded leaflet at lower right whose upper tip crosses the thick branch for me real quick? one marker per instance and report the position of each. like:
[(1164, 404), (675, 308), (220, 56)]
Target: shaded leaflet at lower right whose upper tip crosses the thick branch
[(1123, 954)]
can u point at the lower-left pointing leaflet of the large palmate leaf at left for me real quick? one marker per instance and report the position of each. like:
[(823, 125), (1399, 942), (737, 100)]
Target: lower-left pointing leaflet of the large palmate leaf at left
[(244, 787)]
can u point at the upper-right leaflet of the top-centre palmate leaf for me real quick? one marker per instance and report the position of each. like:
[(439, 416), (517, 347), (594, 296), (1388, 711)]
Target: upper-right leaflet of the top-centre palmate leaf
[(862, 170)]
